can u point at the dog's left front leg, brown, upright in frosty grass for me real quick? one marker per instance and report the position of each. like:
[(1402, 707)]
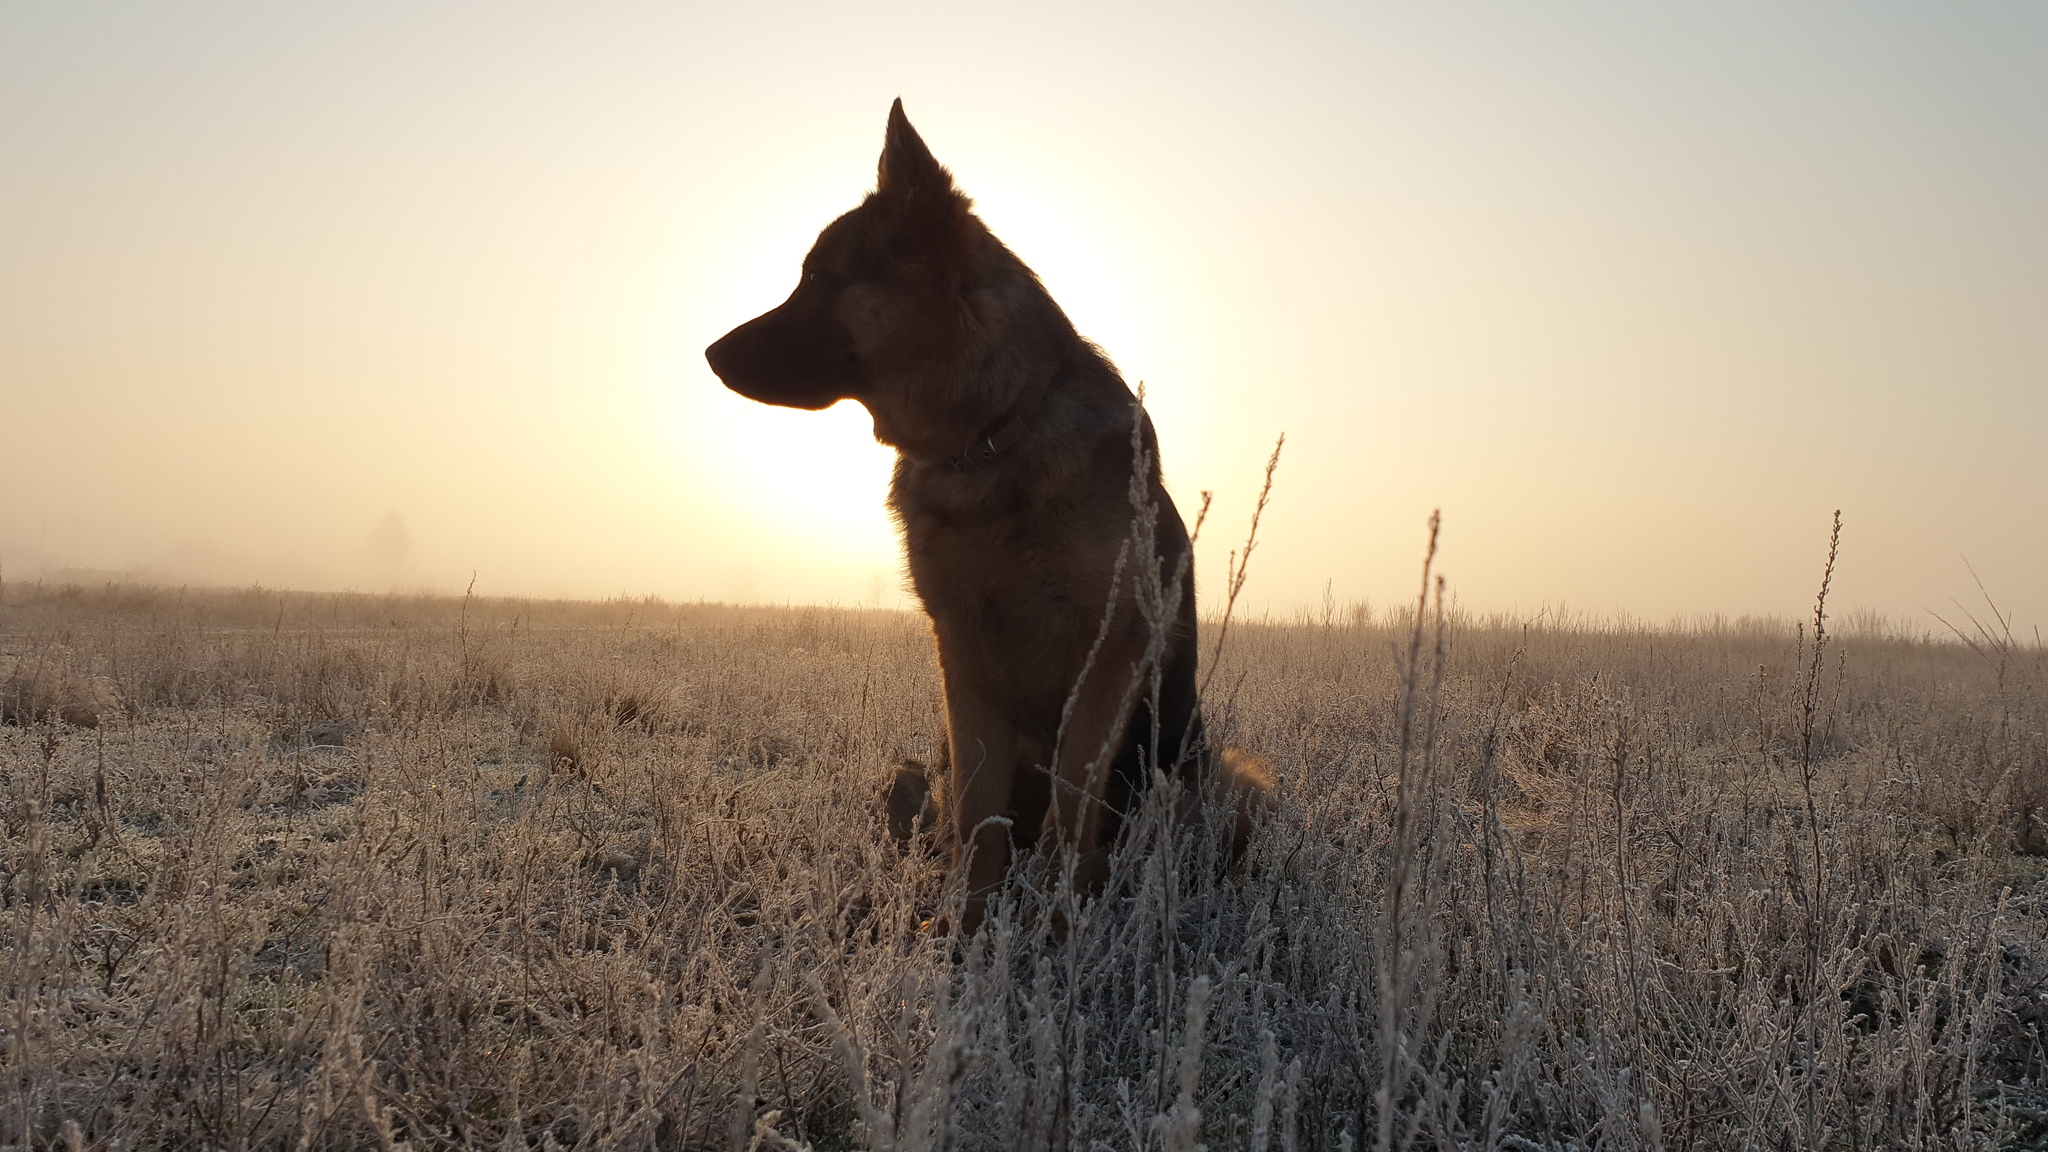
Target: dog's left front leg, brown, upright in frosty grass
[(984, 770)]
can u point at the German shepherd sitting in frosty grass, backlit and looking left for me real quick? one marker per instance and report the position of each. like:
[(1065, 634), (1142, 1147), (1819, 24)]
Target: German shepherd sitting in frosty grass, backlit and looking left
[(1017, 487)]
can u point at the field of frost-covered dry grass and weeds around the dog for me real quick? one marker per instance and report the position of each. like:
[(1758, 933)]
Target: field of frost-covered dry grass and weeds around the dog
[(345, 872)]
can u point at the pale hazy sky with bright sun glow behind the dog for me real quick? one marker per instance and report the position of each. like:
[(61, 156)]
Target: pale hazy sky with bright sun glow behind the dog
[(1635, 294)]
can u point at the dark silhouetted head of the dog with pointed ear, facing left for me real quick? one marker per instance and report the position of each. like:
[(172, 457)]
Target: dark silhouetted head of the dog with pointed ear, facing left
[(890, 302)]
